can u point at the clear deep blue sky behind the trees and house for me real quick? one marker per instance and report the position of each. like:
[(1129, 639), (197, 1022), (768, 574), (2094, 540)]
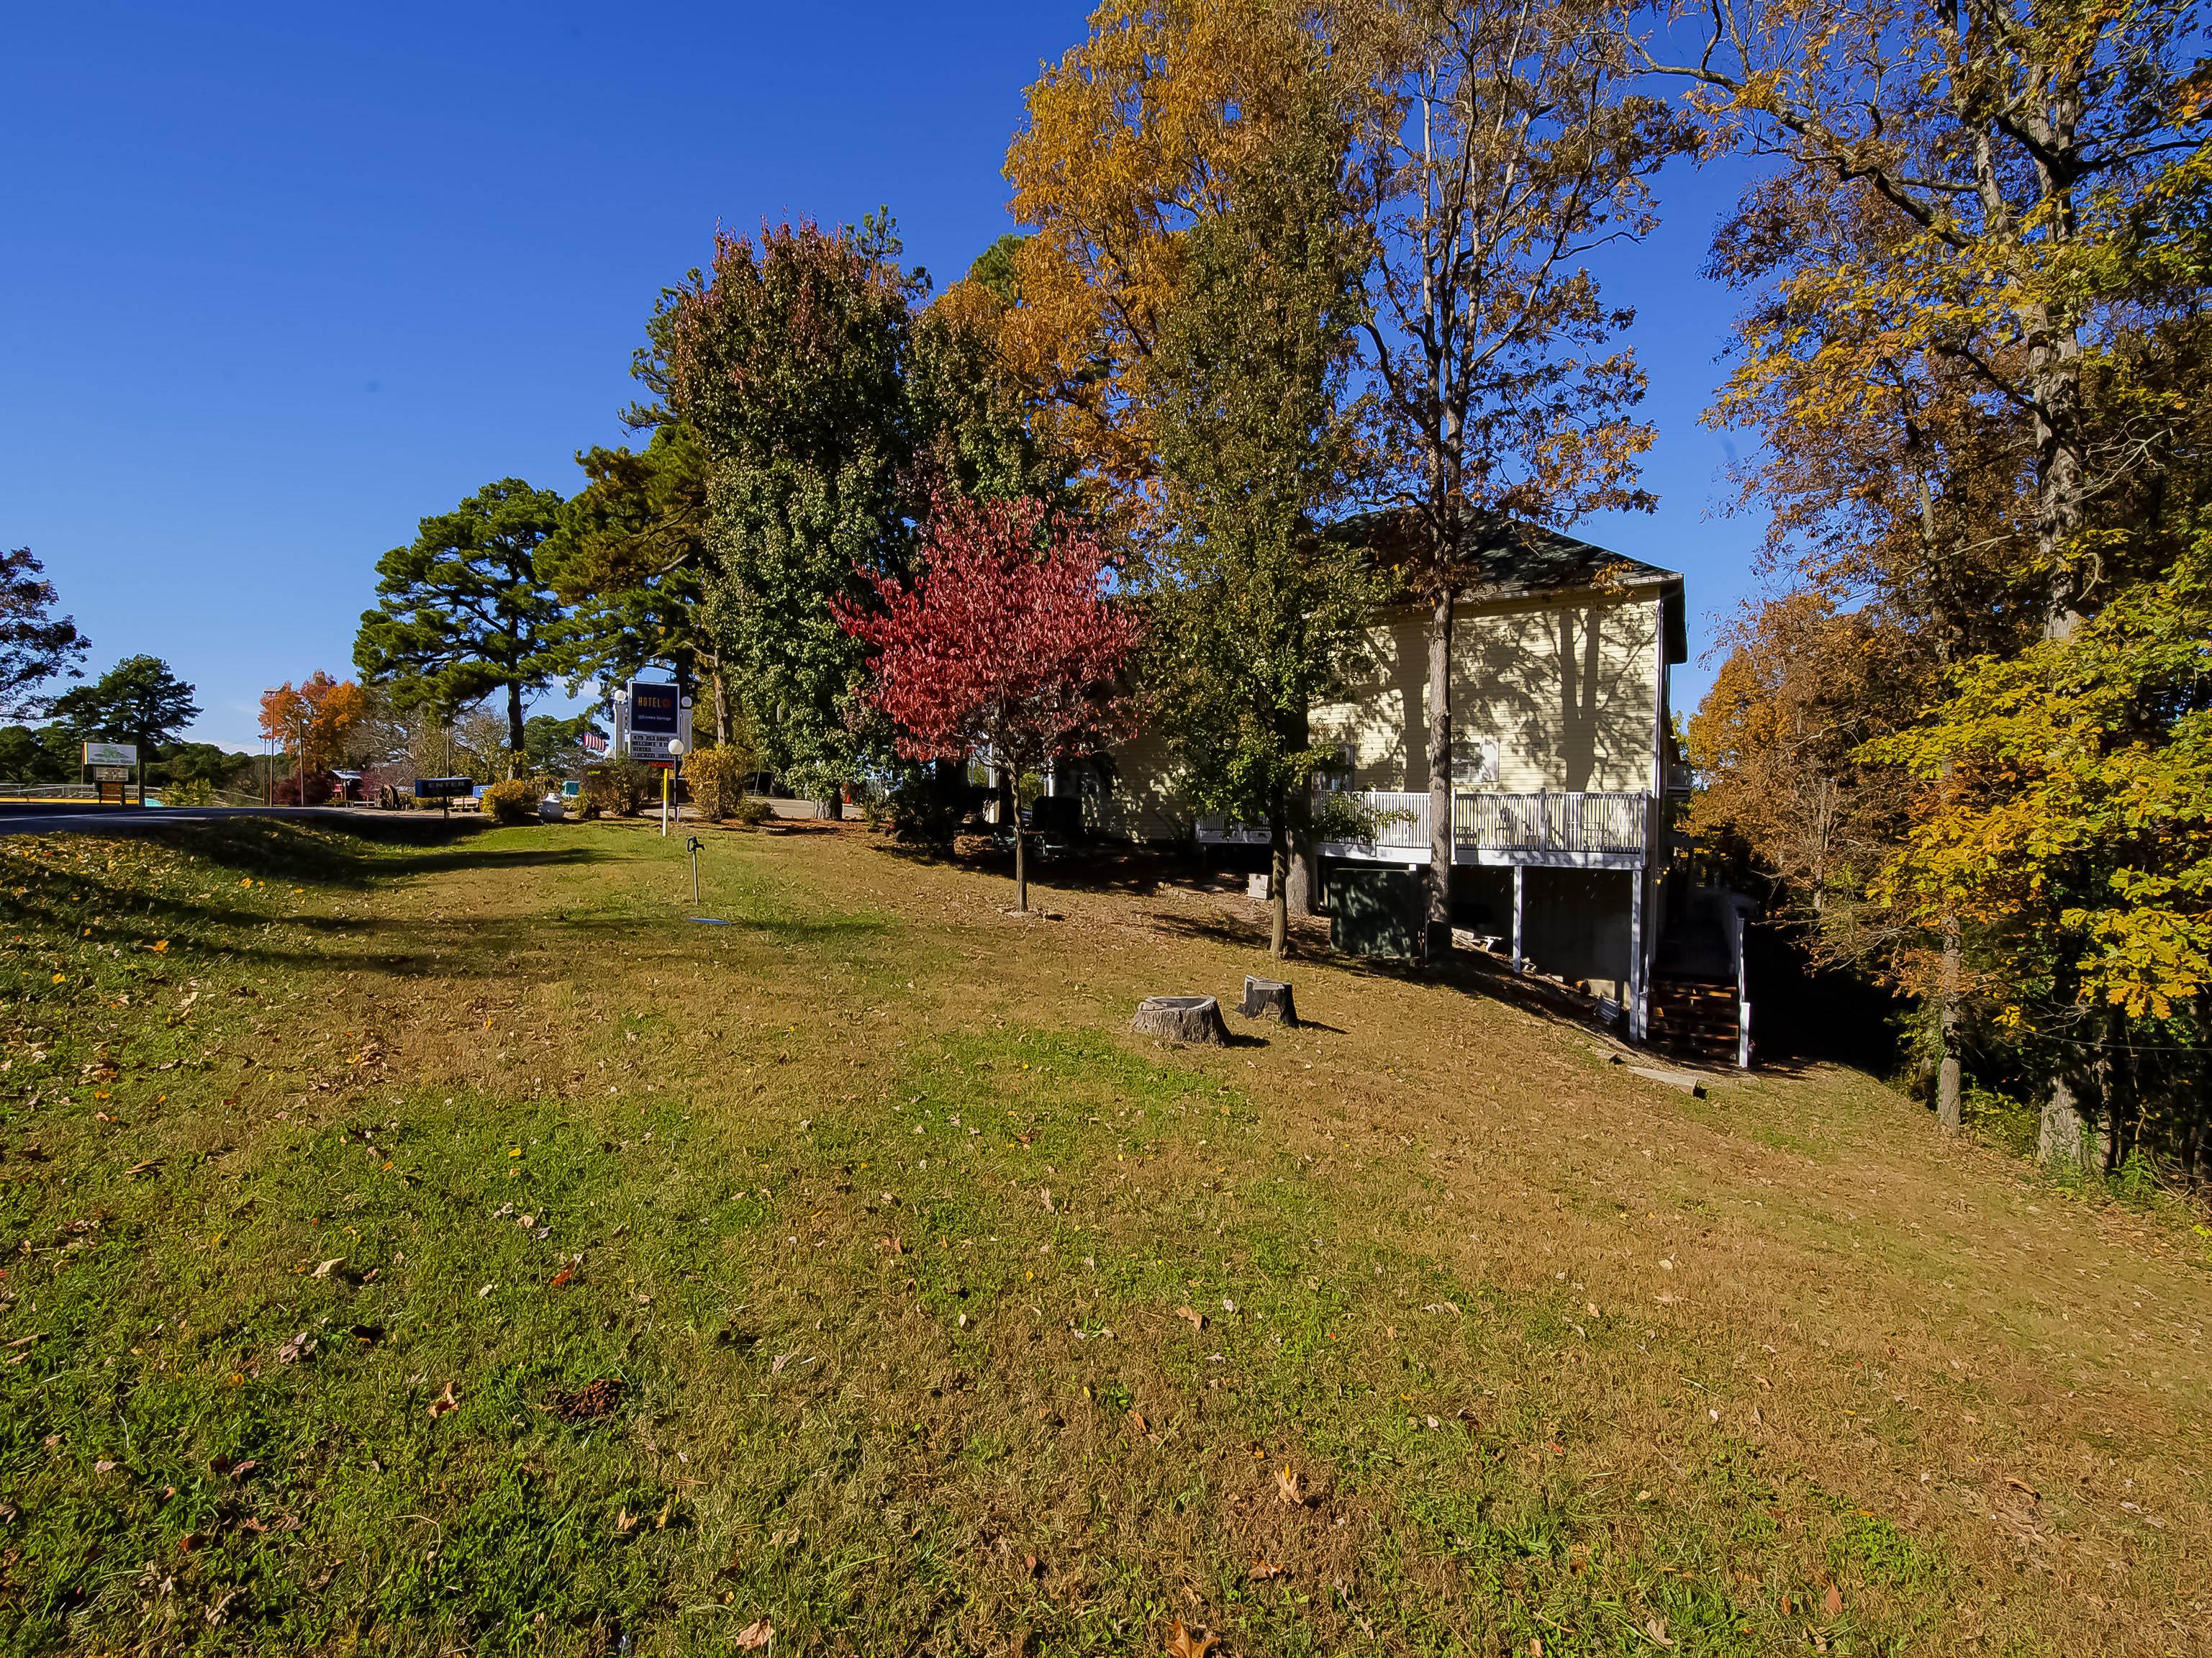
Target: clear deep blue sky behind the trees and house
[(282, 280)]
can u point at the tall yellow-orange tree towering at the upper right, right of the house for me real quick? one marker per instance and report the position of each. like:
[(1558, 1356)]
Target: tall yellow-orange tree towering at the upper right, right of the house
[(1968, 260)]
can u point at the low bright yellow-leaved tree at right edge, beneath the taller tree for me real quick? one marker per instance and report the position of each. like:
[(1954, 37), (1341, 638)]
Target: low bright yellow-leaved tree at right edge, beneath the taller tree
[(2069, 819)]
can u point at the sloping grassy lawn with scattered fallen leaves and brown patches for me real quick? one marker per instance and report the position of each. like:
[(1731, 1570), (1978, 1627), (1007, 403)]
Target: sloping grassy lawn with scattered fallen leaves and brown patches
[(452, 1248)]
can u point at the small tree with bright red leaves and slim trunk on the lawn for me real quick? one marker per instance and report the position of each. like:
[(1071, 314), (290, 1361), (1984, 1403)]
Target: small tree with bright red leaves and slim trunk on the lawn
[(1008, 642)]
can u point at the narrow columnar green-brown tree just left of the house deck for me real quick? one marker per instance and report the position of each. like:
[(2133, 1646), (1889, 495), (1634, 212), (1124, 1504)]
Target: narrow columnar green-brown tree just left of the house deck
[(1255, 613)]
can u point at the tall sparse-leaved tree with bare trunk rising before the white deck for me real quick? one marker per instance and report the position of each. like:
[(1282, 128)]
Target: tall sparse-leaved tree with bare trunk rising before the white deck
[(1510, 149)]
